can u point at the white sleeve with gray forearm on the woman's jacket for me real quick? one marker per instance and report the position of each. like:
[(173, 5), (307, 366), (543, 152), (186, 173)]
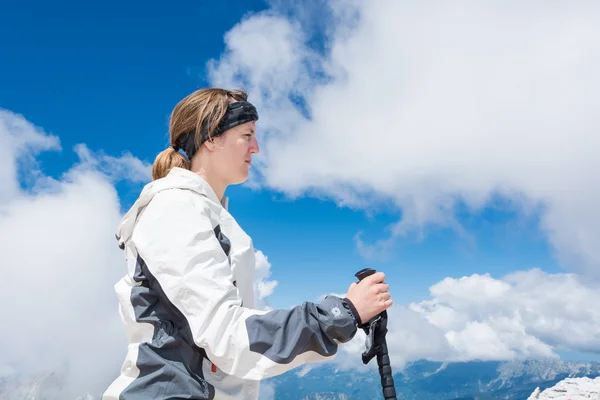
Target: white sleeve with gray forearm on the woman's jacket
[(175, 236)]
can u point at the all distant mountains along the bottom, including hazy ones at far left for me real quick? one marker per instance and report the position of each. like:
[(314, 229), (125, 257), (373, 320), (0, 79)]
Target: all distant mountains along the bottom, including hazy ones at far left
[(473, 380)]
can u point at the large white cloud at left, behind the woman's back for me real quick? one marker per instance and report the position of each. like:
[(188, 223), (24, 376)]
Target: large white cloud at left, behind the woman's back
[(59, 261)]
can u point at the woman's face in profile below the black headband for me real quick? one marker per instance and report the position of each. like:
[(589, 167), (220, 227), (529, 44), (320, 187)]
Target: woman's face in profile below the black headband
[(232, 152)]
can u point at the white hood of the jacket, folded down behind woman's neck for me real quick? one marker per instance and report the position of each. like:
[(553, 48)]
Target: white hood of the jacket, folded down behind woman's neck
[(177, 178)]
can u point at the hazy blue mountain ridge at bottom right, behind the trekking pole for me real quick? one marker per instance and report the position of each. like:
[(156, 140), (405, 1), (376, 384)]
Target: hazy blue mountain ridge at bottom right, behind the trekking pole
[(473, 380)]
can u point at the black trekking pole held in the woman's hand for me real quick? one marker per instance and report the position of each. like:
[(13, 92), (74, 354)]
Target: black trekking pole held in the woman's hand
[(376, 345)]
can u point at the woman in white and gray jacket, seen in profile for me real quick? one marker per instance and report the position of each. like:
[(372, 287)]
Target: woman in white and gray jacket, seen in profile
[(187, 299)]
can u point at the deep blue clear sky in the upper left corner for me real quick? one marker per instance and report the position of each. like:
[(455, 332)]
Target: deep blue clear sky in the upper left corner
[(108, 74)]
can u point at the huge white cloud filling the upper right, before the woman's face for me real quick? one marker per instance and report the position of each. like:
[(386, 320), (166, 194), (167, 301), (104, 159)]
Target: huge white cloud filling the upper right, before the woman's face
[(431, 107)]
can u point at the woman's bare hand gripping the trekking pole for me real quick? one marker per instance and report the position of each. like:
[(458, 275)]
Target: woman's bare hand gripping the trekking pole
[(370, 296)]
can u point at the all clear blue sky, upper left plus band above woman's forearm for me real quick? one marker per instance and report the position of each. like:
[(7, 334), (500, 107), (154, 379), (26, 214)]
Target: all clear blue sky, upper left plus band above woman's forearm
[(108, 76)]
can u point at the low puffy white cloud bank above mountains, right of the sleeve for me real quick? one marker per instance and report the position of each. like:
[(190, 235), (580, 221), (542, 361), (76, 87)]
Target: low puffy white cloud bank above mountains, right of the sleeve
[(524, 315)]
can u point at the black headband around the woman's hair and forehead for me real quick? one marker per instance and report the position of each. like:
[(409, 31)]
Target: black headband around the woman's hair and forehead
[(237, 113)]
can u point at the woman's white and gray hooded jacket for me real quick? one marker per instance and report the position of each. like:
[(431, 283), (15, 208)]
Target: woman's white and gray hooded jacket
[(187, 302)]
